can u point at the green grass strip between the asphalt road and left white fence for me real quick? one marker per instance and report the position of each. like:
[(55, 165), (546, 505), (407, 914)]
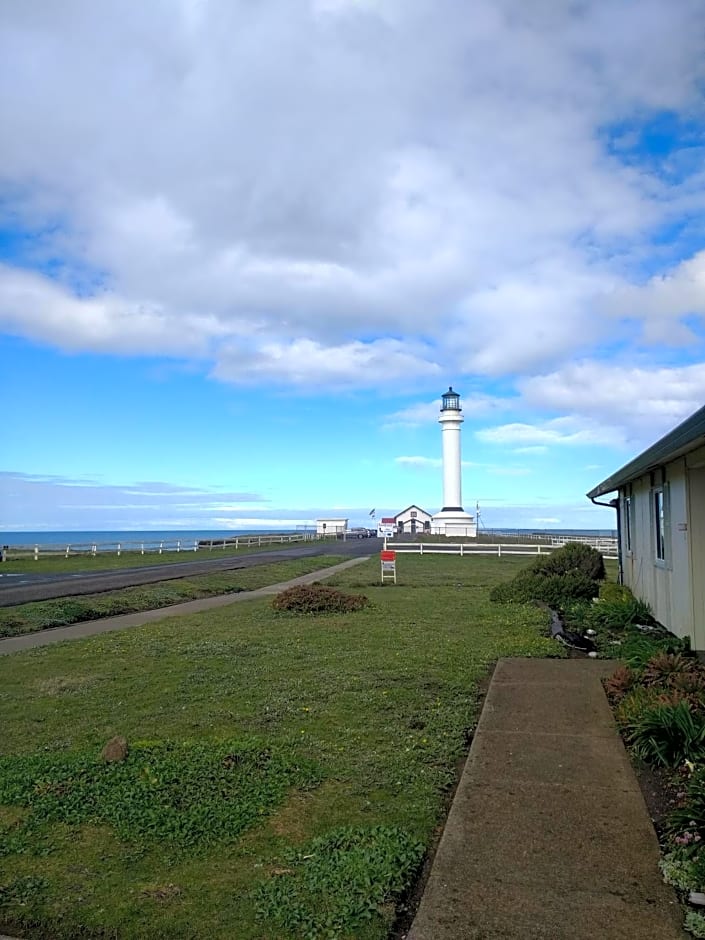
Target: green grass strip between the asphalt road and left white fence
[(110, 561)]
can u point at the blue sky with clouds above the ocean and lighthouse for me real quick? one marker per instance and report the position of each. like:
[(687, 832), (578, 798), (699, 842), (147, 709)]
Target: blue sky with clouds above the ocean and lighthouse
[(245, 247)]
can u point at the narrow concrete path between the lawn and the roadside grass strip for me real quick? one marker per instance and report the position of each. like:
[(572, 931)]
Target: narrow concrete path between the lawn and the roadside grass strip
[(106, 624)]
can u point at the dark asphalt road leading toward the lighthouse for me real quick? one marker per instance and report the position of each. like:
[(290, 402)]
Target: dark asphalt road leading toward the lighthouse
[(22, 588)]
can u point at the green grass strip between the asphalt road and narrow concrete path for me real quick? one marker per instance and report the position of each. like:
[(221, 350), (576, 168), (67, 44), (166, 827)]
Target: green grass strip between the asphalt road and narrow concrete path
[(61, 611)]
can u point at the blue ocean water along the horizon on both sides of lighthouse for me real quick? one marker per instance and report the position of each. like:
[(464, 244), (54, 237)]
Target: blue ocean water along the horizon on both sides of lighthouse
[(150, 537)]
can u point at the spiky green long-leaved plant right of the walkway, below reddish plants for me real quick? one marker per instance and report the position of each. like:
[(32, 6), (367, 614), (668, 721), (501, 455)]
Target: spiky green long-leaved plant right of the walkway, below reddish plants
[(667, 734)]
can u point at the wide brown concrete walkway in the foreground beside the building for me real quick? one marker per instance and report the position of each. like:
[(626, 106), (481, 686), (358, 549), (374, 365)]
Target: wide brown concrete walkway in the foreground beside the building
[(548, 837)]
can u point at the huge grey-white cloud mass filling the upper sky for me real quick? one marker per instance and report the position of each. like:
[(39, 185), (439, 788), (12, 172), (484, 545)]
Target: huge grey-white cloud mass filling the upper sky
[(286, 187)]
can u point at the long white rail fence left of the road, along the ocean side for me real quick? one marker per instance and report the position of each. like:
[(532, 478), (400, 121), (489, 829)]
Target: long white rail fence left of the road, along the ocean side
[(156, 546)]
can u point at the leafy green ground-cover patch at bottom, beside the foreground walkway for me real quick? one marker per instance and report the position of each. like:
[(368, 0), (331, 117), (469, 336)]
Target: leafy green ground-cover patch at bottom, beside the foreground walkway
[(338, 883)]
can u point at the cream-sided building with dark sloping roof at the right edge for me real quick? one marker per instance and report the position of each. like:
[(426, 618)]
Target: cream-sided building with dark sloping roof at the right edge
[(660, 503)]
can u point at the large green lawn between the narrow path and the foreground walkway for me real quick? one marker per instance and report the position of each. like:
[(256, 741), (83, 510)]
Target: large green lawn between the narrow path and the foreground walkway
[(285, 774)]
